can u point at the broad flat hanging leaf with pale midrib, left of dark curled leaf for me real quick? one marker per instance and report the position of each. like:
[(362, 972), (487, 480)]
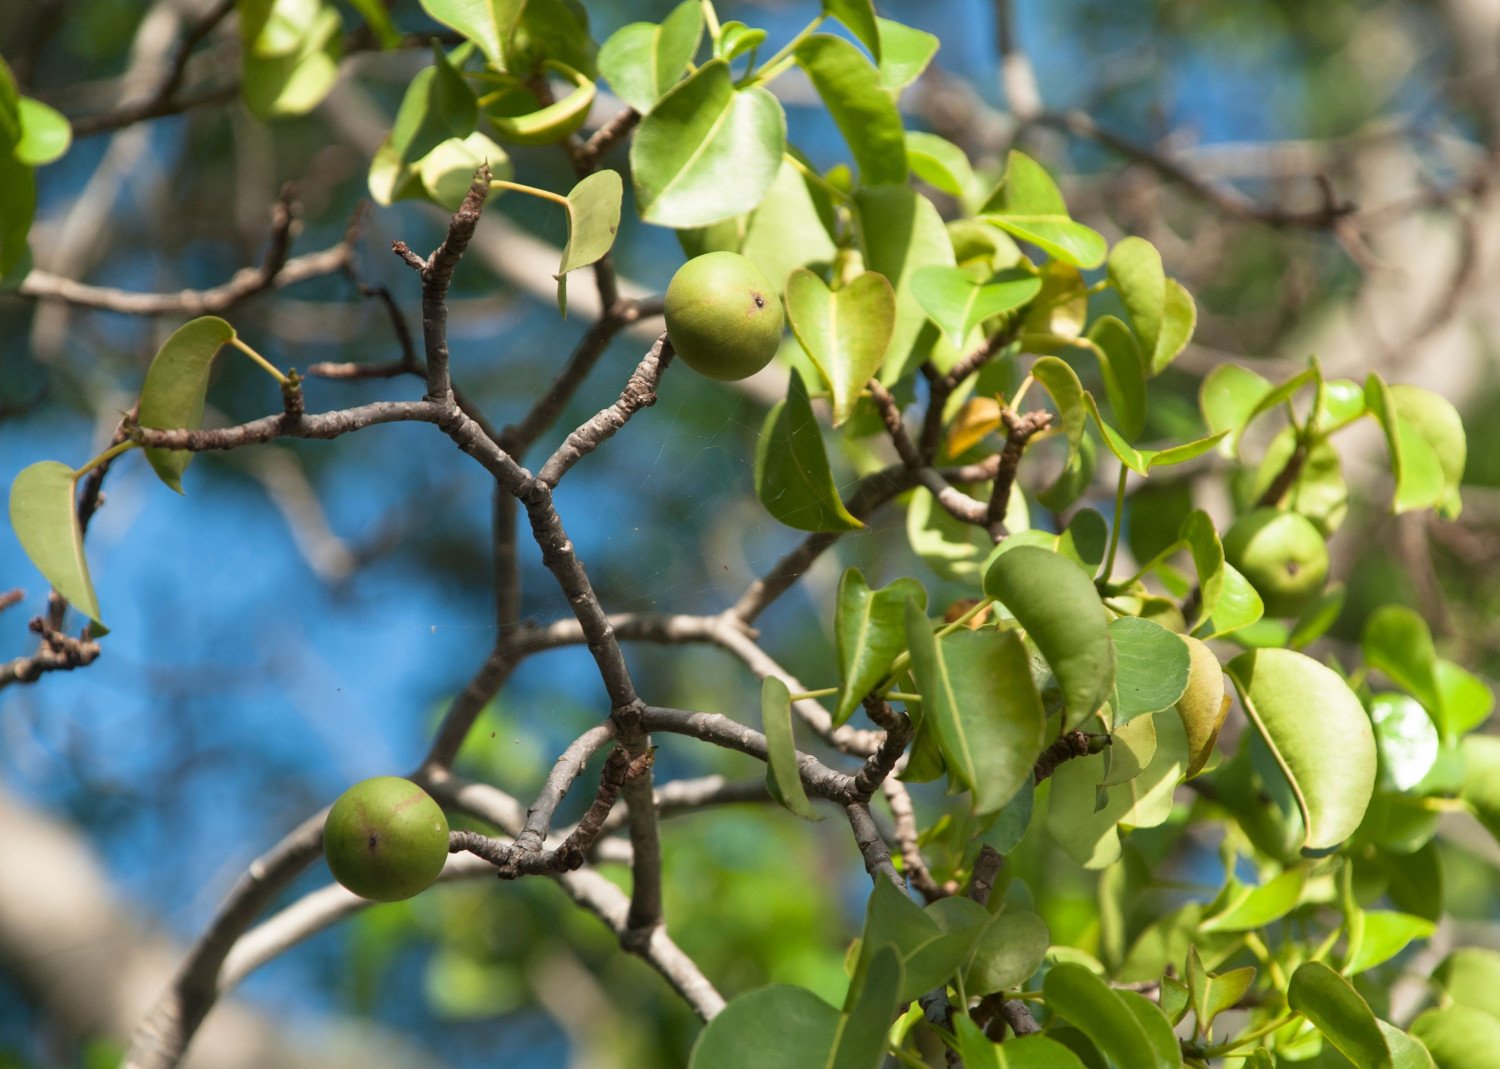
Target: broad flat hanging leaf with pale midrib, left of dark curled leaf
[(979, 690)]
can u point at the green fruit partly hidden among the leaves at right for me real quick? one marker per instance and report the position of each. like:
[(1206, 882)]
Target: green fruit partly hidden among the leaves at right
[(1283, 555)]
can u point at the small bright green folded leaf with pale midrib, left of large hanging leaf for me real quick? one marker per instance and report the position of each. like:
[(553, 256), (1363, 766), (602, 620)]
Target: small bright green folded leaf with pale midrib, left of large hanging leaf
[(869, 632)]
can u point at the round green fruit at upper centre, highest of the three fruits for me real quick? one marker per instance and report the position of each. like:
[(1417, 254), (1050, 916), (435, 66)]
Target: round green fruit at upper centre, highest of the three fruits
[(724, 316)]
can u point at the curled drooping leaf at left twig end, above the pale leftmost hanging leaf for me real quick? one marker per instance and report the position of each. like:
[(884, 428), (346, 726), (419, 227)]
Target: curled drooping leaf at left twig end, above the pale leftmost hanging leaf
[(176, 386)]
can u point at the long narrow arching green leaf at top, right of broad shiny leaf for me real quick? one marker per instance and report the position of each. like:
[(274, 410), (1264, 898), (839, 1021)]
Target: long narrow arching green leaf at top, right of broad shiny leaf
[(865, 113)]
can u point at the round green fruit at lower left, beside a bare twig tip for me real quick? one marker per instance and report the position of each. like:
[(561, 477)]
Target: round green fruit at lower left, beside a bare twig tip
[(386, 839)]
